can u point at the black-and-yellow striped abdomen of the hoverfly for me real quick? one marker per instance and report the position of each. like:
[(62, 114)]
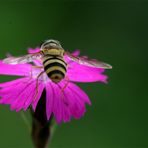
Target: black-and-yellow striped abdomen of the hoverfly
[(55, 67)]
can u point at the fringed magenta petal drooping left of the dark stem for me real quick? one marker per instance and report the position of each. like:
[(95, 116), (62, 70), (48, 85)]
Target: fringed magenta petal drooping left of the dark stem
[(22, 97)]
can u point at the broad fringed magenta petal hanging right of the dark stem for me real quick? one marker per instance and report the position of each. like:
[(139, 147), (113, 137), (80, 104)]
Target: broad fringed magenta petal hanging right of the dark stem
[(66, 104)]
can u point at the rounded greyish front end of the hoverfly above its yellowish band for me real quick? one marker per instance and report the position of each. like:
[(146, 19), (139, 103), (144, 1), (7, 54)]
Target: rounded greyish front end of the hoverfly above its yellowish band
[(50, 43)]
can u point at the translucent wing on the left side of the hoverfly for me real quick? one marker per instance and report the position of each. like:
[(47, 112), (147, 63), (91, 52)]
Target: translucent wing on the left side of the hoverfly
[(23, 59)]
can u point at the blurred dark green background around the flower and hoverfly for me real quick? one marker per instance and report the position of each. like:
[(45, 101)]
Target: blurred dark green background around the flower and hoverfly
[(113, 31)]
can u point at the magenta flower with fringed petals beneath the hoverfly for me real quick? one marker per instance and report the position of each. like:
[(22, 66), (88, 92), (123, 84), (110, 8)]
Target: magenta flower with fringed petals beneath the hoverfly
[(70, 102)]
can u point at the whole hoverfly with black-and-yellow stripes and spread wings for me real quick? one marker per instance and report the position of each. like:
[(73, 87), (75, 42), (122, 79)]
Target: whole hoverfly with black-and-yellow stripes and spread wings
[(52, 56)]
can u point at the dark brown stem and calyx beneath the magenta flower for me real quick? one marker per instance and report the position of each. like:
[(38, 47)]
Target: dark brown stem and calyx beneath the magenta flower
[(40, 124)]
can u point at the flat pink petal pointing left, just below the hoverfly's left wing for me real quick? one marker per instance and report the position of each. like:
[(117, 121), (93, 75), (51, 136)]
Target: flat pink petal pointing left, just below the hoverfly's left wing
[(17, 69)]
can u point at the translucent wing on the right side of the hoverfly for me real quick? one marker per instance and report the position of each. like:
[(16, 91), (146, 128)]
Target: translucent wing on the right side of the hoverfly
[(88, 62)]
